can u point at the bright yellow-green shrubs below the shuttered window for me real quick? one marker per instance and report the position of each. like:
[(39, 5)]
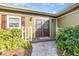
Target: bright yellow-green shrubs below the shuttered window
[(11, 39)]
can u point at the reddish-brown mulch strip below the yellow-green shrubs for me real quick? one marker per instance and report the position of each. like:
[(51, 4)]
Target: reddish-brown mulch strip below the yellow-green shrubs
[(17, 52)]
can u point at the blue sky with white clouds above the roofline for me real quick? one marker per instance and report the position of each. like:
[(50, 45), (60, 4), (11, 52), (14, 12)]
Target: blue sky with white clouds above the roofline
[(43, 7)]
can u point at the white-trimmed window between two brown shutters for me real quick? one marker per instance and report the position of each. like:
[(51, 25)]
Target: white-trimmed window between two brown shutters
[(13, 22)]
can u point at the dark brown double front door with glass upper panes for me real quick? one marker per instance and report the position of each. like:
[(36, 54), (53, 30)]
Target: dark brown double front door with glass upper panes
[(42, 28)]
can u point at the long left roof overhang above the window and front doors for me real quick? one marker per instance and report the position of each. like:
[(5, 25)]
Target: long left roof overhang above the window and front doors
[(25, 11)]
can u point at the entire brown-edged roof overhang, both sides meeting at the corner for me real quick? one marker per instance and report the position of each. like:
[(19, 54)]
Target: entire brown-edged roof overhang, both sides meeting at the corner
[(25, 11)]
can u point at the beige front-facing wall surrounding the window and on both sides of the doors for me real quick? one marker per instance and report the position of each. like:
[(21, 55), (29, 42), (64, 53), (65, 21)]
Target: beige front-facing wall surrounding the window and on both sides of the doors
[(29, 23)]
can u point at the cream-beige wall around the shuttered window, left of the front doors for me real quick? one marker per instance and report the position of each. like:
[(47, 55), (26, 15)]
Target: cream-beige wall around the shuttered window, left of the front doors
[(28, 23)]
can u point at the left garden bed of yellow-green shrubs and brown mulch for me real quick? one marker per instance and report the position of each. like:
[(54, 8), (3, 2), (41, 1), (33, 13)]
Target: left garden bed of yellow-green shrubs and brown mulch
[(12, 44)]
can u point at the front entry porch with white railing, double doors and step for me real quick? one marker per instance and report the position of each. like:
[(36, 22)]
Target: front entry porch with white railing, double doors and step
[(45, 32)]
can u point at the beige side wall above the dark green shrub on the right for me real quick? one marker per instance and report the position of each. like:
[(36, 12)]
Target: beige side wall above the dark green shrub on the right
[(70, 19)]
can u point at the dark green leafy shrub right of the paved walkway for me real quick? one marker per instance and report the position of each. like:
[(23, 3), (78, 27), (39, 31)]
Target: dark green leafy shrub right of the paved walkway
[(68, 40)]
